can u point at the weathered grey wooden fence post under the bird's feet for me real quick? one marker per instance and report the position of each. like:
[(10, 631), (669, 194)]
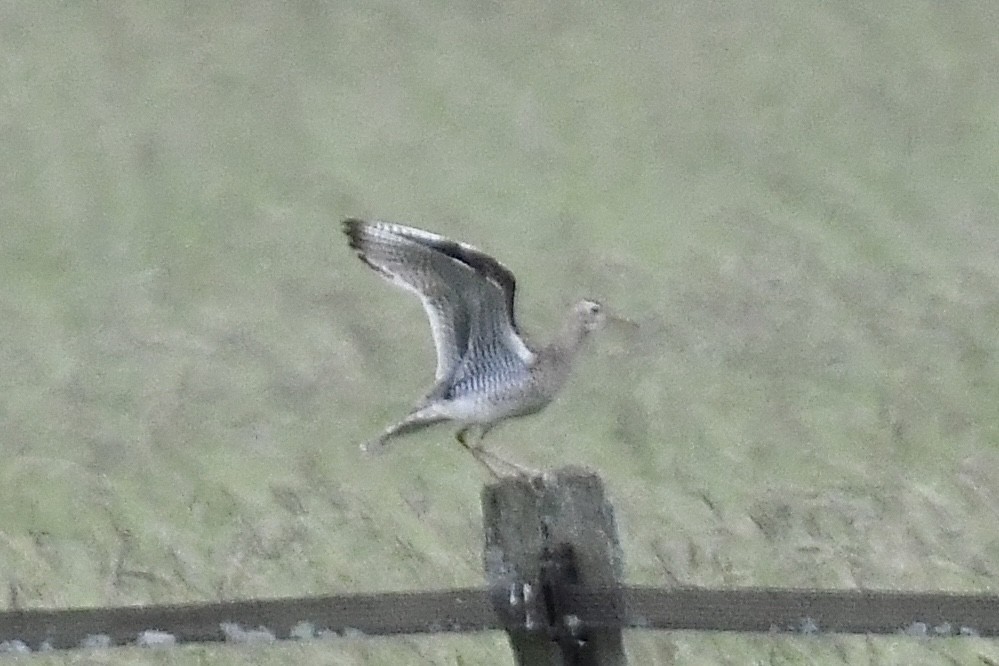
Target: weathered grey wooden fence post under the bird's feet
[(544, 536)]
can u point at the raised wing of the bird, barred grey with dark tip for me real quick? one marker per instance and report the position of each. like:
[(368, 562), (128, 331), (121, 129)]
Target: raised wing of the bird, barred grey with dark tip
[(461, 288)]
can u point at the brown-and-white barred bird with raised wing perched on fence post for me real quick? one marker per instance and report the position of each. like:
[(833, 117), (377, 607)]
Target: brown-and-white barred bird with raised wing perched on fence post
[(487, 371)]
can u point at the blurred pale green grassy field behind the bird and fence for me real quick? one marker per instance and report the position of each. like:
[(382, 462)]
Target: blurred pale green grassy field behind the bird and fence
[(797, 202)]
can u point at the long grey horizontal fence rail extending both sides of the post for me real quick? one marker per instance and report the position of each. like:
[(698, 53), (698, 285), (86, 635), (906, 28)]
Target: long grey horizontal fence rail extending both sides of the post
[(473, 609)]
